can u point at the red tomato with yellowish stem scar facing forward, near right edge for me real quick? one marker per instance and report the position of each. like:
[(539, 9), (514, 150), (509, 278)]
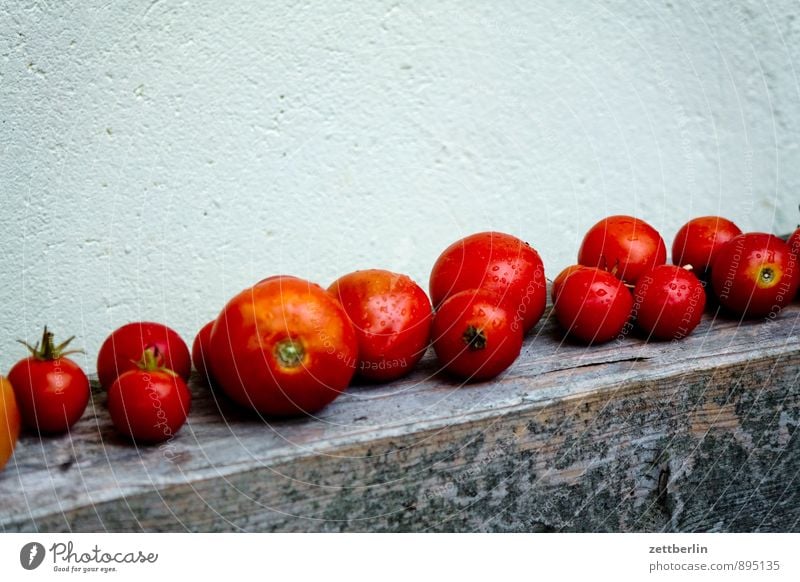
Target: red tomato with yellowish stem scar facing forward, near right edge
[(755, 275)]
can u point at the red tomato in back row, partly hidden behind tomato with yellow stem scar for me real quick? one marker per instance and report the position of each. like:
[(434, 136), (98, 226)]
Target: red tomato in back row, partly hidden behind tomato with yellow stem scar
[(699, 240)]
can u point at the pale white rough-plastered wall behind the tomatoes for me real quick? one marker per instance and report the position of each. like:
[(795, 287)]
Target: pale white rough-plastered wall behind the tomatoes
[(157, 157)]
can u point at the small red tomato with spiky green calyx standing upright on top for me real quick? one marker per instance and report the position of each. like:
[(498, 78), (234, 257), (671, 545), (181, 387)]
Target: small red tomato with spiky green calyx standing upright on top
[(52, 391)]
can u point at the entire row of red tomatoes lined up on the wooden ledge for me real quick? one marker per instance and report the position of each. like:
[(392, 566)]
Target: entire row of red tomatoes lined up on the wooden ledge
[(286, 346)]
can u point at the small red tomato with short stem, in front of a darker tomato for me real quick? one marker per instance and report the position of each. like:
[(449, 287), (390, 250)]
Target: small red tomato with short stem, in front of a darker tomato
[(150, 403)]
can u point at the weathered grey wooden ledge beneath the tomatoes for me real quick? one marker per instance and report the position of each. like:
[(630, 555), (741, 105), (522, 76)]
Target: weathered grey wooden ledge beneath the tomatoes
[(699, 435)]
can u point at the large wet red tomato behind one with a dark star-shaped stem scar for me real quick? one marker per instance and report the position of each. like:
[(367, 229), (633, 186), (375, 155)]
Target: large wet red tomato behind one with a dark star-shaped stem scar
[(499, 262)]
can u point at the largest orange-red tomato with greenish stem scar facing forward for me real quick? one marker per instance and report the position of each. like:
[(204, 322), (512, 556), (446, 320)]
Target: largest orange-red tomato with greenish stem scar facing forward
[(283, 347)]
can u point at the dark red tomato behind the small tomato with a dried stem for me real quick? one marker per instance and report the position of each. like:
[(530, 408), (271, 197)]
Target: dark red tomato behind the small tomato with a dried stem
[(124, 347)]
